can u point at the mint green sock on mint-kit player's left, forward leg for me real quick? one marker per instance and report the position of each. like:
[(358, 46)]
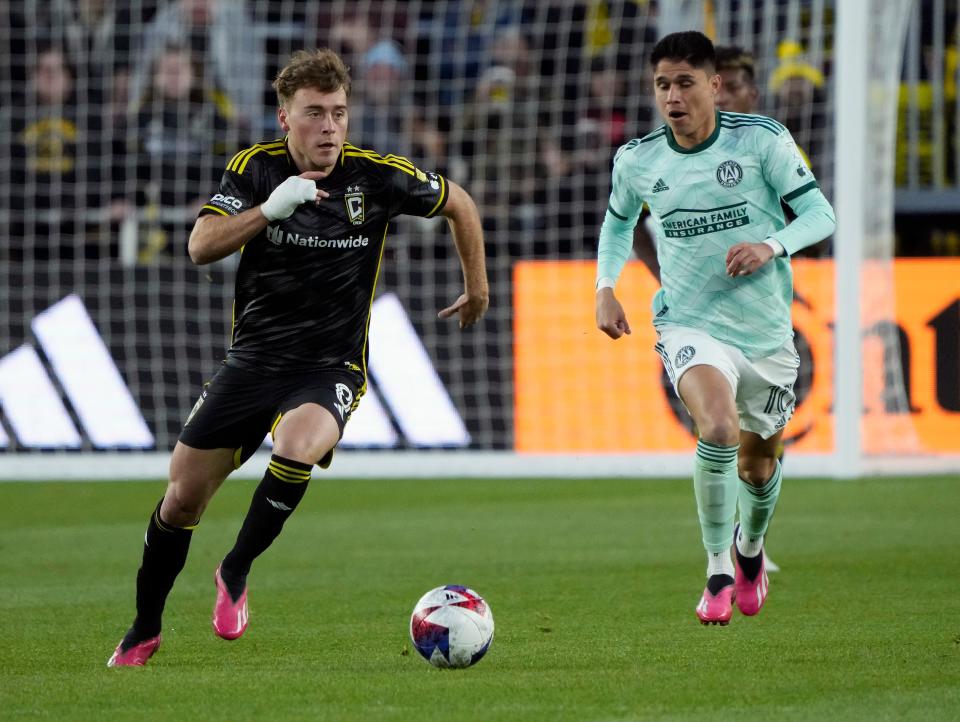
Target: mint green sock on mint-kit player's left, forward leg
[(715, 485)]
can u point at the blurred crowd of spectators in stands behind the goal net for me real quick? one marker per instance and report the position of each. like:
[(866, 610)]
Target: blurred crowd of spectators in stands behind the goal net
[(122, 116)]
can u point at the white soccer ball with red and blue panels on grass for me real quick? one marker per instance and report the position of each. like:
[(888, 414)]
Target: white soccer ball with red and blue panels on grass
[(451, 626)]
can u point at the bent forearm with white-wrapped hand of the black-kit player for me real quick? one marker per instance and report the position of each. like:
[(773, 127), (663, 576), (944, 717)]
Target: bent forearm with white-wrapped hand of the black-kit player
[(216, 237)]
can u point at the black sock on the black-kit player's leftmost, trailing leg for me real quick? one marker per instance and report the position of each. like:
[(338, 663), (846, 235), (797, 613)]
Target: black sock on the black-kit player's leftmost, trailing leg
[(164, 554)]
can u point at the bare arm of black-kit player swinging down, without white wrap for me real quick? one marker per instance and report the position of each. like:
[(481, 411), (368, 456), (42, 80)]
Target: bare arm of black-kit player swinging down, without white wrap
[(464, 218)]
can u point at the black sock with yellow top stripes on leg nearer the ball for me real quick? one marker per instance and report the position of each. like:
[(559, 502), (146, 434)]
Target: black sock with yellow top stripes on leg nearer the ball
[(278, 494)]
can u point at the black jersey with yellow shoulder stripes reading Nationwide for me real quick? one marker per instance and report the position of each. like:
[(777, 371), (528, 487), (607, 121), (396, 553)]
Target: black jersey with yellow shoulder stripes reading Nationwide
[(305, 284)]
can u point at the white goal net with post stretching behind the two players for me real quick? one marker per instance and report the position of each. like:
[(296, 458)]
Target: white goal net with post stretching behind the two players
[(118, 119)]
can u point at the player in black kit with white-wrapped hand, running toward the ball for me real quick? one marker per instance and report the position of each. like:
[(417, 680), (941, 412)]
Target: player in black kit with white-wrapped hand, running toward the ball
[(309, 214)]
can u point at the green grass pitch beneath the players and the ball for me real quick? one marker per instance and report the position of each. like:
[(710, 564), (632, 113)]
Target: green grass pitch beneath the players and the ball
[(592, 584)]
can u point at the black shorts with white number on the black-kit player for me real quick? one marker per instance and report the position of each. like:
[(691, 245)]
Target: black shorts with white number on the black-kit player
[(238, 408)]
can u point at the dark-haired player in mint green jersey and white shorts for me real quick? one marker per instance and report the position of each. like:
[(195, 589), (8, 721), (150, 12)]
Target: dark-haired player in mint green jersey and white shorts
[(713, 182)]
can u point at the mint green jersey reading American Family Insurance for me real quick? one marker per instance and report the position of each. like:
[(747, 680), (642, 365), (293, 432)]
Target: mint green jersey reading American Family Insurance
[(725, 191)]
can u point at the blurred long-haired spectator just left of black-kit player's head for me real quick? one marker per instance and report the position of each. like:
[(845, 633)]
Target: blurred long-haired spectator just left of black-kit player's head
[(182, 139)]
